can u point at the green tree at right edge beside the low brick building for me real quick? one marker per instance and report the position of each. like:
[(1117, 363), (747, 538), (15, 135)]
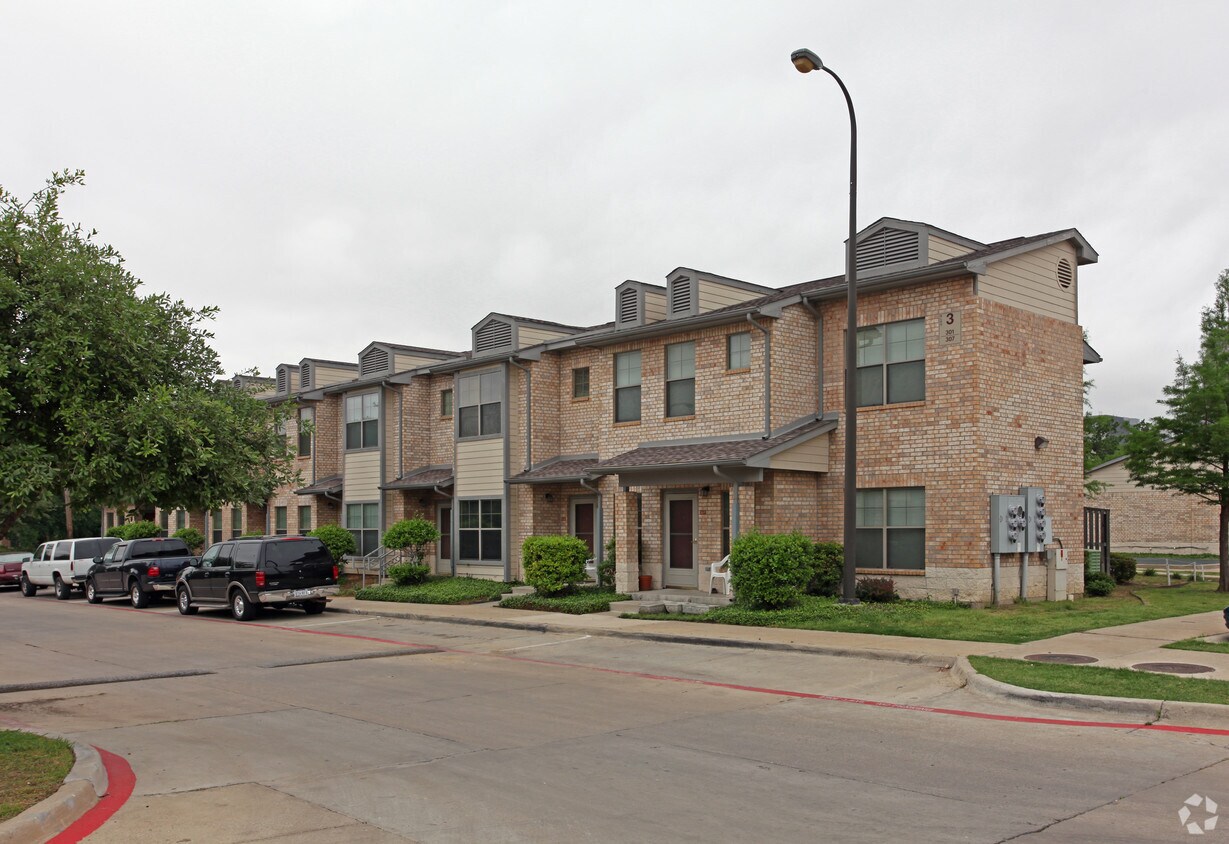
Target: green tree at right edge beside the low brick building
[(1188, 449)]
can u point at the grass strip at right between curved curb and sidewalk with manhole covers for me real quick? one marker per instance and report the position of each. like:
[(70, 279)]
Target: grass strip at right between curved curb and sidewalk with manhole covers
[(1107, 682)]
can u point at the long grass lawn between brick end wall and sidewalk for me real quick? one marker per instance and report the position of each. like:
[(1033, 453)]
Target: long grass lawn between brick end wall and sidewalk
[(1011, 625)]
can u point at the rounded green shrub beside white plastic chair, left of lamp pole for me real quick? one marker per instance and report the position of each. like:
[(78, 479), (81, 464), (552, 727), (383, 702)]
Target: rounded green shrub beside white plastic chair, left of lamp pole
[(771, 571)]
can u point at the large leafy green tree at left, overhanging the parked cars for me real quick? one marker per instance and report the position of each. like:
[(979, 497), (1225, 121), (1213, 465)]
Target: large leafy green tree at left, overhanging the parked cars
[(112, 396)]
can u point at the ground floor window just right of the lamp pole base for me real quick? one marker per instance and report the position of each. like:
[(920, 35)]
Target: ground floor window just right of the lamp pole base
[(892, 529)]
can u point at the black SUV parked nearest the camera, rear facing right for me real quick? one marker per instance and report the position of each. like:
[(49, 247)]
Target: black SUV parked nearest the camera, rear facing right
[(262, 572)]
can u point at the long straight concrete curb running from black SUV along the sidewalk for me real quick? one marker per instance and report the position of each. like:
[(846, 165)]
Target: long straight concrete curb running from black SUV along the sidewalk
[(645, 636)]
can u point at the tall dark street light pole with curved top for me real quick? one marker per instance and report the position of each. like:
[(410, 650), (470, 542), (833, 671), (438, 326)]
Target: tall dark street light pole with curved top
[(806, 61)]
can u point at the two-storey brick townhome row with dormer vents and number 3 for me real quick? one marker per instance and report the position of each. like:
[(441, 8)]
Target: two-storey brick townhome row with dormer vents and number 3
[(710, 407)]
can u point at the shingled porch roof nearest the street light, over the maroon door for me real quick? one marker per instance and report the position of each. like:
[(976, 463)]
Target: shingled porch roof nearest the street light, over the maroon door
[(740, 459)]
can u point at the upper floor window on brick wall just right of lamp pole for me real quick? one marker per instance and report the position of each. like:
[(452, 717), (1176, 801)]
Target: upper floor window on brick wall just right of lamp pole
[(892, 363)]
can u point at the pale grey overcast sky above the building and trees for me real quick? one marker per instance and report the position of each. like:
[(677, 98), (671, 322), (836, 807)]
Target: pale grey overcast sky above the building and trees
[(332, 174)]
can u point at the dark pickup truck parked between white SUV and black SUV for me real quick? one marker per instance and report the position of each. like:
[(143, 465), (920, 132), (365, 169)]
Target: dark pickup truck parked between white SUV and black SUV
[(139, 569)]
